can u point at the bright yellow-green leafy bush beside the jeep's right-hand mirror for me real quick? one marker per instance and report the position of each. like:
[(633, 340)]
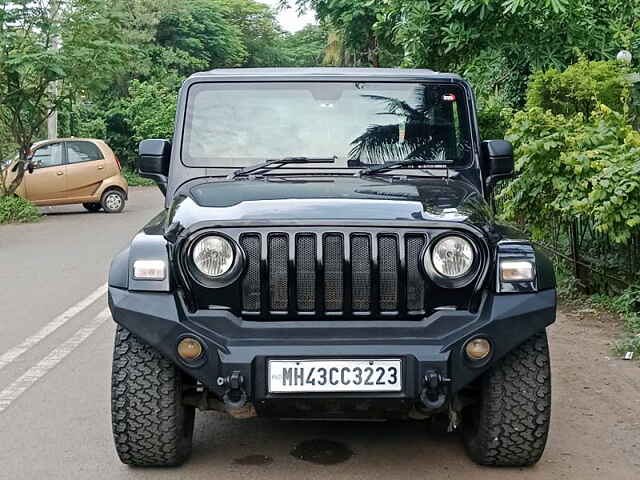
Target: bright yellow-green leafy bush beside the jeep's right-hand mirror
[(570, 167)]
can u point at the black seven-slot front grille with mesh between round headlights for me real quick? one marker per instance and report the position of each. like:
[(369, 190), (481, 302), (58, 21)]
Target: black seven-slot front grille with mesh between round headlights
[(333, 274)]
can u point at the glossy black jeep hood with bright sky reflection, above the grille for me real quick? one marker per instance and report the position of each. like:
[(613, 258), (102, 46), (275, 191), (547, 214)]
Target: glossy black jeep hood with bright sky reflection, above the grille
[(374, 199)]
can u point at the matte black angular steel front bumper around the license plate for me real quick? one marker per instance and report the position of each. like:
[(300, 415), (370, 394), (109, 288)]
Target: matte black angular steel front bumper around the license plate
[(434, 344)]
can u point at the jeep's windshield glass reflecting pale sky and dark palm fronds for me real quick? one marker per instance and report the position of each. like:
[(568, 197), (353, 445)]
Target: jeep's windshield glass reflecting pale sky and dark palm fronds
[(237, 124)]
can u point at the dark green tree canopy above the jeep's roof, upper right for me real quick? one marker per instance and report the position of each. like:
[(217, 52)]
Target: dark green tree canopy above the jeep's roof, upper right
[(473, 36)]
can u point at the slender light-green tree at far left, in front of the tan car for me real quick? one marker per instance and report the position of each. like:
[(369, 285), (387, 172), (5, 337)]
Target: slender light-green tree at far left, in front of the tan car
[(29, 64)]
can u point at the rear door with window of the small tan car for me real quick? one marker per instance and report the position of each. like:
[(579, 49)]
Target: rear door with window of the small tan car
[(85, 170)]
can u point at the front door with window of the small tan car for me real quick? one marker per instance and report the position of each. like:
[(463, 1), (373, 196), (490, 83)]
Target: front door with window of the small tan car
[(48, 182)]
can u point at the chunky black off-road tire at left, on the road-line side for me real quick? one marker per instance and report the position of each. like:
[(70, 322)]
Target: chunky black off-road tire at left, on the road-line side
[(151, 425)]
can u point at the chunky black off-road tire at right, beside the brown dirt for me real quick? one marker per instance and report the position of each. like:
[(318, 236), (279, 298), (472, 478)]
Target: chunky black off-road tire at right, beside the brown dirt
[(510, 423)]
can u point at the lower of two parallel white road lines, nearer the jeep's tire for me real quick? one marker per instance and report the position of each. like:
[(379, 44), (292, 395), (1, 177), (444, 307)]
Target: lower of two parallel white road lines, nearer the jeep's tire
[(44, 366)]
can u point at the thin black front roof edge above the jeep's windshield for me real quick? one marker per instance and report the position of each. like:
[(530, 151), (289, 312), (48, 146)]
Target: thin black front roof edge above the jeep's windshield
[(323, 73)]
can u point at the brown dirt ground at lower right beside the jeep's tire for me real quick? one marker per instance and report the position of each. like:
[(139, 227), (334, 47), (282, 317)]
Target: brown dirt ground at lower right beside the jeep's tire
[(596, 421)]
